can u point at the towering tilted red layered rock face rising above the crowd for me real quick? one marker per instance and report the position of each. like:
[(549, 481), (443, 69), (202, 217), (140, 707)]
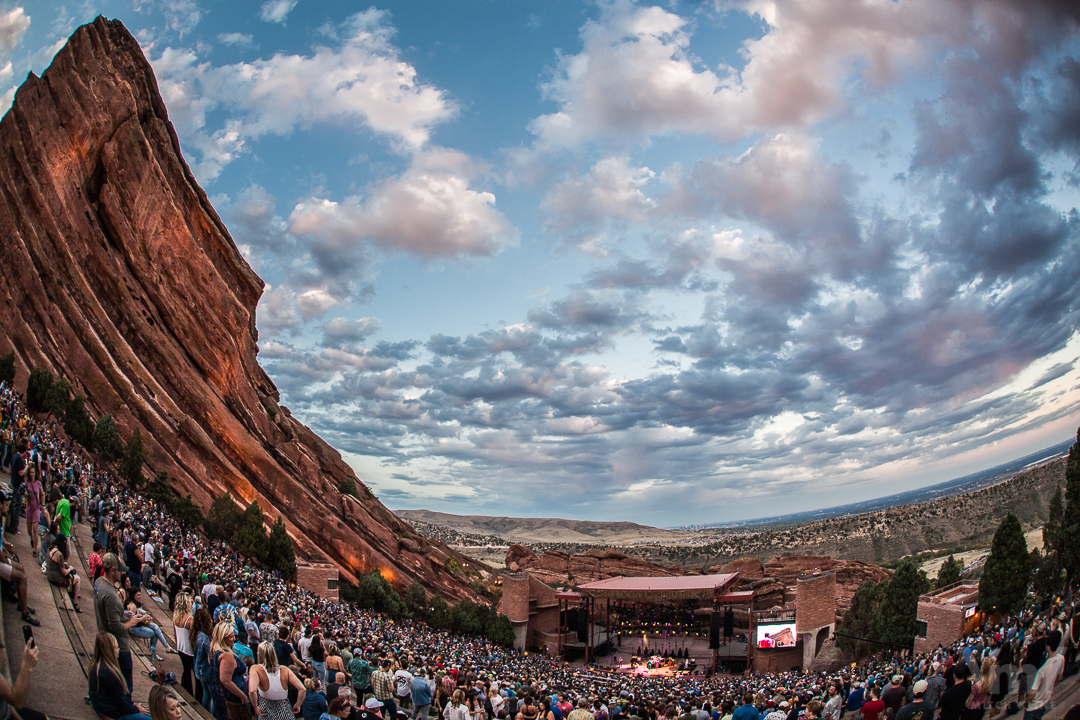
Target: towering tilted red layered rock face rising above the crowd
[(117, 275)]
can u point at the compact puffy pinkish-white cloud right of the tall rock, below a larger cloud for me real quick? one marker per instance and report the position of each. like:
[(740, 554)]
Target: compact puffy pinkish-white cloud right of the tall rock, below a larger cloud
[(430, 210)]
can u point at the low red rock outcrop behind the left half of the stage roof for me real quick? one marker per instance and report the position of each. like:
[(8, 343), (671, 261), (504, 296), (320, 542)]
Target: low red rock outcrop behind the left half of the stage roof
[(557, 568)]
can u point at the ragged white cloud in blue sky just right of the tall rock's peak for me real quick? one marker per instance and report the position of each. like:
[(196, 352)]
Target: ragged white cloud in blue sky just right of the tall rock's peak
[(364, 80)]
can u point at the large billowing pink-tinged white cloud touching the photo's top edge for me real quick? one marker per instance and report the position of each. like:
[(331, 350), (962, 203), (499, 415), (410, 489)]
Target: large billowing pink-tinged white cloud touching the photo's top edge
[(637, 75)]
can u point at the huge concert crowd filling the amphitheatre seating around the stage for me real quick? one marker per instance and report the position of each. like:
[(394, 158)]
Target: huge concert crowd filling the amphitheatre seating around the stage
[(251, 644)]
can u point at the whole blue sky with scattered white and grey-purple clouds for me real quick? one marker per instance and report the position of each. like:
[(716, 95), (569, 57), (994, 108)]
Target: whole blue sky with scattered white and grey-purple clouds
[(679, 263)]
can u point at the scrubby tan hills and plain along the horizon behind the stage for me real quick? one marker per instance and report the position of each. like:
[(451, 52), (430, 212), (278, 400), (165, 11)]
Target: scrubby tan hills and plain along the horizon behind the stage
[(962, 522)]
